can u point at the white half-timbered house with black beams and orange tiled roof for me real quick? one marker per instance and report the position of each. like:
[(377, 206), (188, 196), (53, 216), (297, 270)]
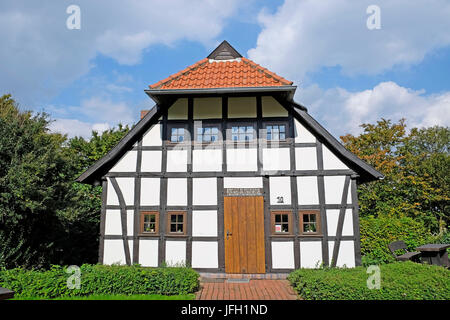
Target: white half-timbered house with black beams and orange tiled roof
[(227, 173)]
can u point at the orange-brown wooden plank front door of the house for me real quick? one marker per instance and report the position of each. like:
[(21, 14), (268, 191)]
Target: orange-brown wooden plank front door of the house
[(244, 234)]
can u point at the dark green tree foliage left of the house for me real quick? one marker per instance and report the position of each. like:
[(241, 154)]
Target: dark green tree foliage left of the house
[(46, 217)]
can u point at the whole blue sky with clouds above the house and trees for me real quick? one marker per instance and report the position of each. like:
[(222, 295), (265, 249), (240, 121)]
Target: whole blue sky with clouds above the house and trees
[(94, 78)]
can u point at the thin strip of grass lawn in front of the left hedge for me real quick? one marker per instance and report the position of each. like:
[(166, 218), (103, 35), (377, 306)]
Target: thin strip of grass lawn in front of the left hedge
[(120, 297)]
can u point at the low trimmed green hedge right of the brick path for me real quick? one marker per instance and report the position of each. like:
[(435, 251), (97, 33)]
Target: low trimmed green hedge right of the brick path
[(399, 281)]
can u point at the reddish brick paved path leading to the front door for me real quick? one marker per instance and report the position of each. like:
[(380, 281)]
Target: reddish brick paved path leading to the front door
[(253, 290)]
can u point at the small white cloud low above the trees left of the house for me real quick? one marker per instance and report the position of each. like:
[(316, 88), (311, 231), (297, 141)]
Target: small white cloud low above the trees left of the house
[(73, 127)]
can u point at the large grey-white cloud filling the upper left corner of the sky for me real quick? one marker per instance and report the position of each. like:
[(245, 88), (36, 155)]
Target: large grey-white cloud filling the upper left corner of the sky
[(39, 55)]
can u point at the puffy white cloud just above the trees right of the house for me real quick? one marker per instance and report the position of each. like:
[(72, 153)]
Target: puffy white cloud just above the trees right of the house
[(341, 111)]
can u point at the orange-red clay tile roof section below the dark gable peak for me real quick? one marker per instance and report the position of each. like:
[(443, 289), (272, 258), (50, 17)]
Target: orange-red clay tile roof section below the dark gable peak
[(222, 74)]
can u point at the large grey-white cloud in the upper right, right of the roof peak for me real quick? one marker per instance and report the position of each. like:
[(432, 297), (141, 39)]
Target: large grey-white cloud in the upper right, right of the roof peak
[(302, 35)]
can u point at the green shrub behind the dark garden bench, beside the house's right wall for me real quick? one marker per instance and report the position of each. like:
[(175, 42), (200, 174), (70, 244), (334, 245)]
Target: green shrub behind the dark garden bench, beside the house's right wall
[(378, 232)]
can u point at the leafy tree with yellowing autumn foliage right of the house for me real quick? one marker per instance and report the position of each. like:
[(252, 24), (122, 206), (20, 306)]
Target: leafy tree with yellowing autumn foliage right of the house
[(415, 165)]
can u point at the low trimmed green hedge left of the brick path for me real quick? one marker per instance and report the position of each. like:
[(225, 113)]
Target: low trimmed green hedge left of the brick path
[(100, 280)]
